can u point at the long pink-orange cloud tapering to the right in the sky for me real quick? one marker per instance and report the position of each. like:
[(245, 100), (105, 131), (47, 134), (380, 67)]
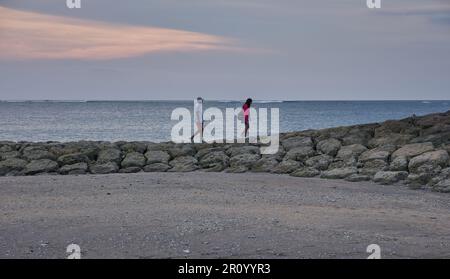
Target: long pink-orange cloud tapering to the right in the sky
[(30, 35)]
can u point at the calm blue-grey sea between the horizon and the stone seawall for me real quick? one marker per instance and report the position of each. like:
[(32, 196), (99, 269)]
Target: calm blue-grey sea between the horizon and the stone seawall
[(150, 120)]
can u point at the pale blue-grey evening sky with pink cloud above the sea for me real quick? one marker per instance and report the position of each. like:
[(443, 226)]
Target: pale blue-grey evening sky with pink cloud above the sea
[(225, 50)]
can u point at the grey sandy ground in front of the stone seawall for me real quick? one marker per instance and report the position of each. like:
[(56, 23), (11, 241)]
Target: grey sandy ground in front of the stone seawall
[(218, 215)]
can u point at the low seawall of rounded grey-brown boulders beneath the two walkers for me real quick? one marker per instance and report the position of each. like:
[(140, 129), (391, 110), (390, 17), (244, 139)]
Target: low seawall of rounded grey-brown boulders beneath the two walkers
[(414, 151)]
